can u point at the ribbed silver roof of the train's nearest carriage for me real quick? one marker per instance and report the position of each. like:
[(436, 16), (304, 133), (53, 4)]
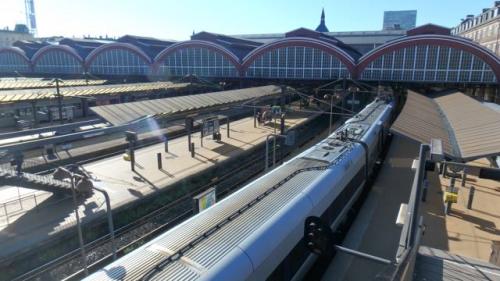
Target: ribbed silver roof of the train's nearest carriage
[(206, 254)]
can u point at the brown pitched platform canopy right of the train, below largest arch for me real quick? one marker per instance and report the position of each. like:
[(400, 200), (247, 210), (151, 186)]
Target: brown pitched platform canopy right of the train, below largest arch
[(468, 129)]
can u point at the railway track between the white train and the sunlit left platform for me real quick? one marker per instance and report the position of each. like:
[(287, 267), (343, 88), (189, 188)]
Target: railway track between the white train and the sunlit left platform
[(152, 224)]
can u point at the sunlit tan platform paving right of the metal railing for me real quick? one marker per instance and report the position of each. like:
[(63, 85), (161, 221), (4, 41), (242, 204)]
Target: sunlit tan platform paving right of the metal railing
[(466, 232)]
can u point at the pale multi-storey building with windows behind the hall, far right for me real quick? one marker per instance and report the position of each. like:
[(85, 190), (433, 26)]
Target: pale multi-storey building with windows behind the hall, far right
[(483, 28)]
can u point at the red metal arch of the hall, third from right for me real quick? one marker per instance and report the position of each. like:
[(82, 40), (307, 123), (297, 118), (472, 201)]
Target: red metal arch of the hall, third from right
[(200, 44)]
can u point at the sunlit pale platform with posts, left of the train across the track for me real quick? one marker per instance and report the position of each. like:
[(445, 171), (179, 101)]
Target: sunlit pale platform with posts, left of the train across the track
[(42, 220)]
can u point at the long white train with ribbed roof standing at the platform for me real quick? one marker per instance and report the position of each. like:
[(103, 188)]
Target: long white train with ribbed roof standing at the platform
[(257, 232)]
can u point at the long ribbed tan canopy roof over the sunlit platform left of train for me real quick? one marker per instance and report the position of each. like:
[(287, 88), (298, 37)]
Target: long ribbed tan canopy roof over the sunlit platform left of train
[(123, 113)]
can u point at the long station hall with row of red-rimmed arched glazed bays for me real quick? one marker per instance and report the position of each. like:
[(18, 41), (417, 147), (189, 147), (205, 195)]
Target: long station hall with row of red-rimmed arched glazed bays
[(427, 54)]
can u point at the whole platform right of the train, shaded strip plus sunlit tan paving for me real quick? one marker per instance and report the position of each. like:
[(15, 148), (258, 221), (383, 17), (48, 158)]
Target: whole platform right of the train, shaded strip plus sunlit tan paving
[(457, 246)]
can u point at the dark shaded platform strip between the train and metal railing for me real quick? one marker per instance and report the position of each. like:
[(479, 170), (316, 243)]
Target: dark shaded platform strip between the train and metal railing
[(374, 230)]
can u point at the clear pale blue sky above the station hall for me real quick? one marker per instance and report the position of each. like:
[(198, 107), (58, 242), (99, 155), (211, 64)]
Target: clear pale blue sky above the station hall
[(176, 19)]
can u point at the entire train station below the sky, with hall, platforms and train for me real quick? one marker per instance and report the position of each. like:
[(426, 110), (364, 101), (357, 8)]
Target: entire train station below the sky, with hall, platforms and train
[(310, 154)]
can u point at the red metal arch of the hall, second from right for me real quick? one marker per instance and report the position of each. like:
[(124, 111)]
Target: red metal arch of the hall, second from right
[(333, 50)]
